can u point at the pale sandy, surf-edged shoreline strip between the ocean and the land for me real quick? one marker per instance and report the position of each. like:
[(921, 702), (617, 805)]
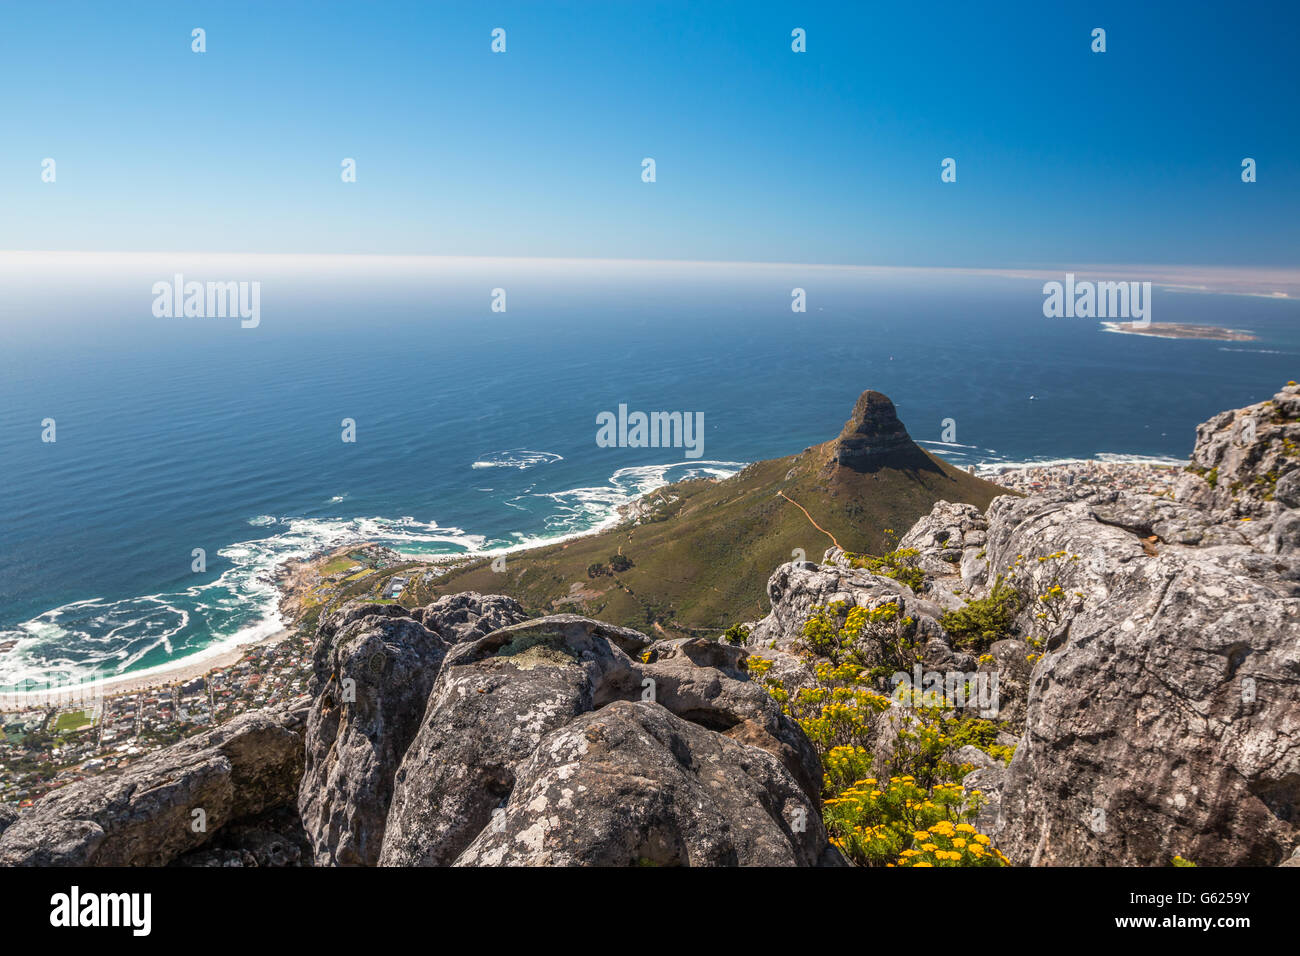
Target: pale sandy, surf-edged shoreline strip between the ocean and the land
[(289, 578)]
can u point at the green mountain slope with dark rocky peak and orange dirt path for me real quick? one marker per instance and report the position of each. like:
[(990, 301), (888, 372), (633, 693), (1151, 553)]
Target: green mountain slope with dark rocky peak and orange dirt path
[(701, 552)]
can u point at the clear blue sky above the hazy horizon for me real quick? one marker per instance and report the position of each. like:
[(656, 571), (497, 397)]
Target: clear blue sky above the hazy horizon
[(829, 157)]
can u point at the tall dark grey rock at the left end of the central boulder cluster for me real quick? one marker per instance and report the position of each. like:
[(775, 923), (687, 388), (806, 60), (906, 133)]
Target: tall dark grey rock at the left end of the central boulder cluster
[(375, 667)]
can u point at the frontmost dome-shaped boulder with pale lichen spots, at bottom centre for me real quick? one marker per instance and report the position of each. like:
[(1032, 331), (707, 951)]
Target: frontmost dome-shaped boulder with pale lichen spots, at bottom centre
[(635, 785)]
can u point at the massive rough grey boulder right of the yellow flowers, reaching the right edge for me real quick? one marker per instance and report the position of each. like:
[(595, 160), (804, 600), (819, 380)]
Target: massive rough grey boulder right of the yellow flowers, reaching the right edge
[(1163, 719)]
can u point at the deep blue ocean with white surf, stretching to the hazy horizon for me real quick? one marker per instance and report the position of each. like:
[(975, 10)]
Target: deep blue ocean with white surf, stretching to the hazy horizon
[(478, 430)]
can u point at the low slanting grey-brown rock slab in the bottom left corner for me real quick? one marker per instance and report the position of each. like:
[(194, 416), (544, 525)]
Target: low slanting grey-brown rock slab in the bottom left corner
[(145, 814)]
